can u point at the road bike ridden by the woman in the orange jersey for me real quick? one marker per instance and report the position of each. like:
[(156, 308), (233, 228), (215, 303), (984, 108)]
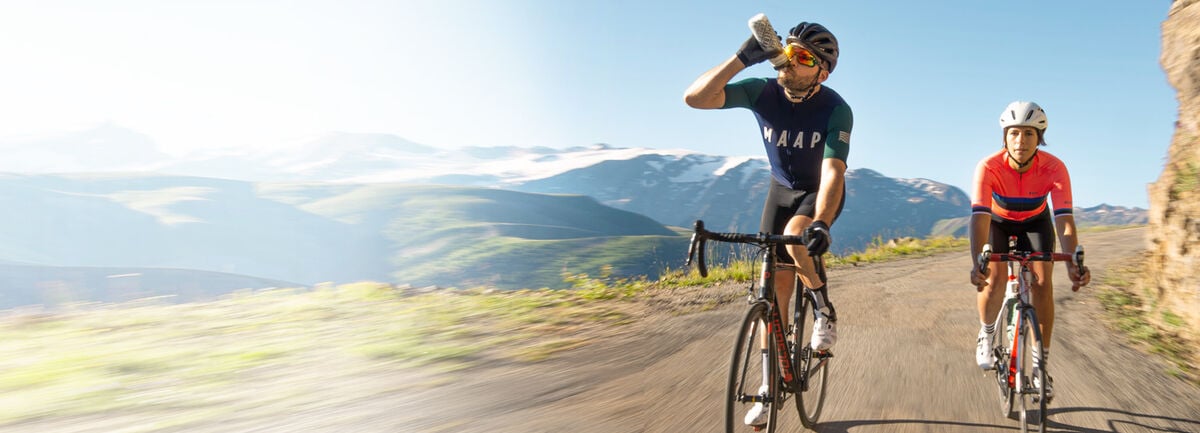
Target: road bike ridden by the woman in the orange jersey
[(1017, 333)]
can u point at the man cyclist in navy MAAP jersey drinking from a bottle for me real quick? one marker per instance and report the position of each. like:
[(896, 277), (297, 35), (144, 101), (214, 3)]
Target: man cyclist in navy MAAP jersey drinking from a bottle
[(806, 131)]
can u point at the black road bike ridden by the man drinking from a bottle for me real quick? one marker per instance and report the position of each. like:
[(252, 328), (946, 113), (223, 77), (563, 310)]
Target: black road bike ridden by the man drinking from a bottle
[(771, 363)]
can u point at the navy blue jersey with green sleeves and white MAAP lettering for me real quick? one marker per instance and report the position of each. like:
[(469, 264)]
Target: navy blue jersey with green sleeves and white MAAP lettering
[(797, 136)]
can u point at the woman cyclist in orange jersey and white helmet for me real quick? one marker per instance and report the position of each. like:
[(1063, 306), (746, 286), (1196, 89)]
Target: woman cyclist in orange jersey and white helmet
[(1011, 191)]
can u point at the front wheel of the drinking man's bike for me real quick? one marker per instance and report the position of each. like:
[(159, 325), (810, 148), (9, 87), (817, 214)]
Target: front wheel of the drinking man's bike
[(754, 374)]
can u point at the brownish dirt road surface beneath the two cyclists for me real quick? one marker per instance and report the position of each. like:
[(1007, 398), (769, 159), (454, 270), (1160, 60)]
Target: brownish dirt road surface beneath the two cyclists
[(904, 363)]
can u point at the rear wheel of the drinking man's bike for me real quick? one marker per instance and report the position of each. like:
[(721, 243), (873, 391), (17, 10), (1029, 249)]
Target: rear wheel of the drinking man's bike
[(812, 372)]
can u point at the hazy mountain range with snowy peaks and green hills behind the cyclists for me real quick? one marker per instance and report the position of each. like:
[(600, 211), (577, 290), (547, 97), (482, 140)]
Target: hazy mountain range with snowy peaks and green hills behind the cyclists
[(376, 207)]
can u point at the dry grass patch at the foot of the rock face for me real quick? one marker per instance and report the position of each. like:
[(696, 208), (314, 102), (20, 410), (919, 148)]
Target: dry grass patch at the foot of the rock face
[(1124, 297)]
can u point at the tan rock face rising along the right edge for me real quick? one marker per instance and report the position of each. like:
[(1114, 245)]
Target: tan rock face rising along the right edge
[(1175, 199)]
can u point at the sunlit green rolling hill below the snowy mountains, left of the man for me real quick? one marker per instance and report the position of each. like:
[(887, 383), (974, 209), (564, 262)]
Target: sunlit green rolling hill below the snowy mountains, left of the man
[(469, 237)]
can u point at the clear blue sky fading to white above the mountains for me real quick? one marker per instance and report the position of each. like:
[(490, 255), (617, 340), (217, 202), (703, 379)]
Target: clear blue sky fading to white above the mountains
[(927, 80)]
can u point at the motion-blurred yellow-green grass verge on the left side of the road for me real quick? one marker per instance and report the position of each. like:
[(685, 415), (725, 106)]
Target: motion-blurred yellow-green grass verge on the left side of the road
[(238, 356)]
